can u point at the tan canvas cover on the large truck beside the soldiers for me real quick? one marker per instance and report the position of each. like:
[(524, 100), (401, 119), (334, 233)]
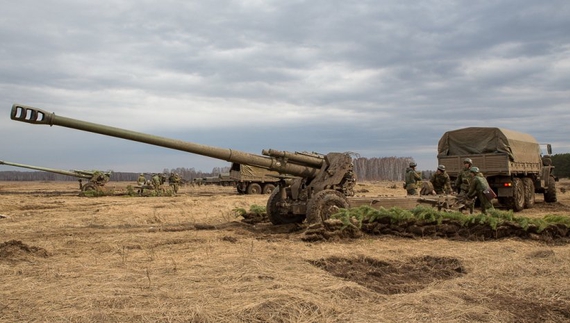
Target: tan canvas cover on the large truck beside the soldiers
[(520, 147)]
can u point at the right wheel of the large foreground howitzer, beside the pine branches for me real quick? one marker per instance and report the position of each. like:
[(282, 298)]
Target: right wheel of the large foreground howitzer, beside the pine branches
[(324, 204)]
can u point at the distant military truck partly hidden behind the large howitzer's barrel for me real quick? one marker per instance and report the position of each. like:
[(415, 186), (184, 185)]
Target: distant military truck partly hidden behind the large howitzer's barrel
[(253, 180)]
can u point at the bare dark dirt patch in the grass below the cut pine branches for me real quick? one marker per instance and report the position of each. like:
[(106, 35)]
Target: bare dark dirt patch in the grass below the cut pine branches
[(392, 277)]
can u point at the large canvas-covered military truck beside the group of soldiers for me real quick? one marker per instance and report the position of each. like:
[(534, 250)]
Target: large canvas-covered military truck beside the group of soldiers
[(511, 161)]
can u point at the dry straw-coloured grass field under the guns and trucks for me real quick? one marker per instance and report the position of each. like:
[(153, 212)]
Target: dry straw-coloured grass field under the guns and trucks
[(188, 258)]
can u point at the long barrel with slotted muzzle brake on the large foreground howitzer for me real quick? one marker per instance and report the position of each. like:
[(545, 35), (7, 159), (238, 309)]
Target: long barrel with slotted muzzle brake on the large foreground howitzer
[(37, 116)]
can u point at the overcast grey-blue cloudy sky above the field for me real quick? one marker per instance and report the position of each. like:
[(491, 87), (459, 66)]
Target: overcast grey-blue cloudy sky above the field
[(377, 78)]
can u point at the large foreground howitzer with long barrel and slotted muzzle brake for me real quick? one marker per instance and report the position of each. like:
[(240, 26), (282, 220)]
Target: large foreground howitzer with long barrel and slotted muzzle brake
[(313, 186)]
